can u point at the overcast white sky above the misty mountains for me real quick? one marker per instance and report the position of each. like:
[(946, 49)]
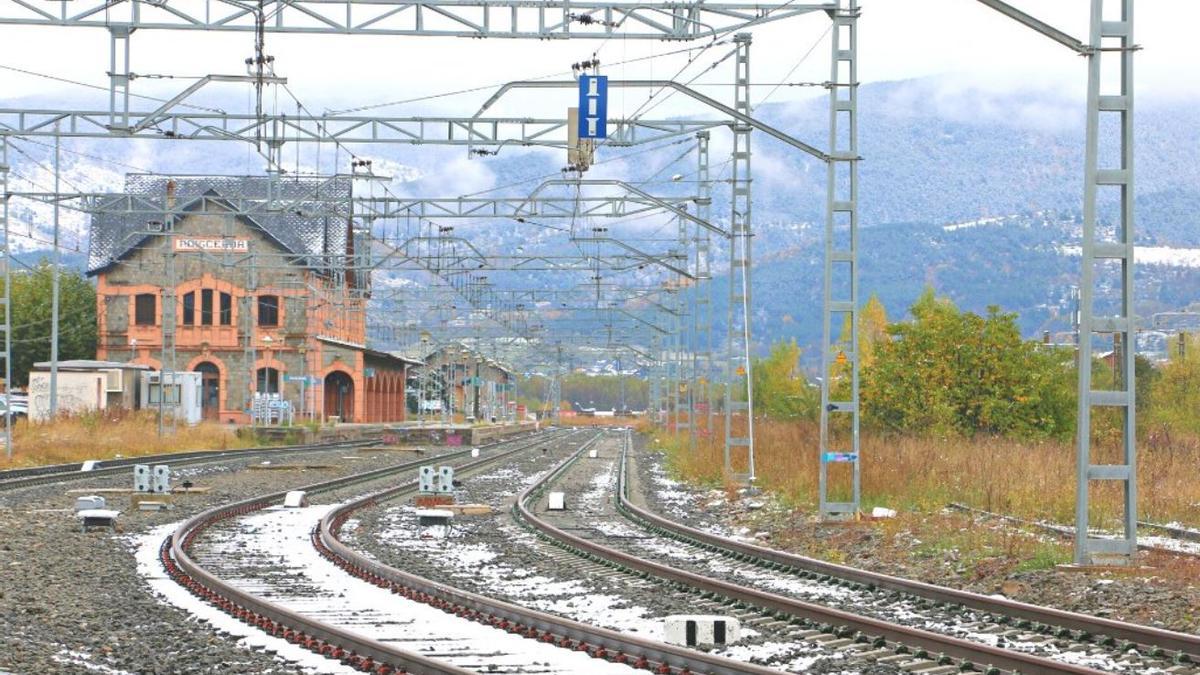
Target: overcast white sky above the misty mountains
[(901, 39)]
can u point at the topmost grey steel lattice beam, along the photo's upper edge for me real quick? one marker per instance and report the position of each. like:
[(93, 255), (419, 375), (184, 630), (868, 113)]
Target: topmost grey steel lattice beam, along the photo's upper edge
[(549, 20)]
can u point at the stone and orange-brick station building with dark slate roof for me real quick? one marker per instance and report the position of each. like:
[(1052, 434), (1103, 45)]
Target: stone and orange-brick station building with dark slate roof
[(260, 296)]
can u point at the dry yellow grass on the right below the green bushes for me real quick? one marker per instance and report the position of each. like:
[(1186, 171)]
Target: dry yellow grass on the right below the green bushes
[(1029, 480)]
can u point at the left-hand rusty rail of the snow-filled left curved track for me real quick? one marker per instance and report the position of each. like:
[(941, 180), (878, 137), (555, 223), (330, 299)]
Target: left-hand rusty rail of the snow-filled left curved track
[(329, 641)]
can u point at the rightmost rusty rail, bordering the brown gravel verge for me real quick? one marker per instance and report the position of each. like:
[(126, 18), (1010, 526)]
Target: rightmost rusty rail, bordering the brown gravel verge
[(1172, 641)]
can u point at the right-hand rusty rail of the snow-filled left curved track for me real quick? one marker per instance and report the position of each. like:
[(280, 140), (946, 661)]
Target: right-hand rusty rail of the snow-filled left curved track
[(598, 642)]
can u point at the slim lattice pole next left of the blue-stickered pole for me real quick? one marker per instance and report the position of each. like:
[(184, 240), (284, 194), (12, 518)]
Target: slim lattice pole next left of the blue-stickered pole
[(739, 392)]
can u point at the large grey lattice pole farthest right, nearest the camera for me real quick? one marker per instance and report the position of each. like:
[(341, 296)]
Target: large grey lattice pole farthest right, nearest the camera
[(1108, 38)]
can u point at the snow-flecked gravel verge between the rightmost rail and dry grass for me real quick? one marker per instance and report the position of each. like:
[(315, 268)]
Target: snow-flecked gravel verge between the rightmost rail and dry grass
[(1165, 594)]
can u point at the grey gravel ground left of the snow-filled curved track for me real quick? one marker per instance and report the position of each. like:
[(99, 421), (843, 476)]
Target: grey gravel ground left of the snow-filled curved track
[(74, 602)]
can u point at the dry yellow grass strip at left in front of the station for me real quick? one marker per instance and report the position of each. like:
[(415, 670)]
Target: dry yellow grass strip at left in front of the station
[(104, 437)]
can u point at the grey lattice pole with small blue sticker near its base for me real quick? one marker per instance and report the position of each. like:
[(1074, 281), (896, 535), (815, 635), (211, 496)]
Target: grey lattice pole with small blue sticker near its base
[(842, 261)]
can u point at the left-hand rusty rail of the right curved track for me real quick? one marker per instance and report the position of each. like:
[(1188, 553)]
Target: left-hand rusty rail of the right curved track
[(977, 655)]
